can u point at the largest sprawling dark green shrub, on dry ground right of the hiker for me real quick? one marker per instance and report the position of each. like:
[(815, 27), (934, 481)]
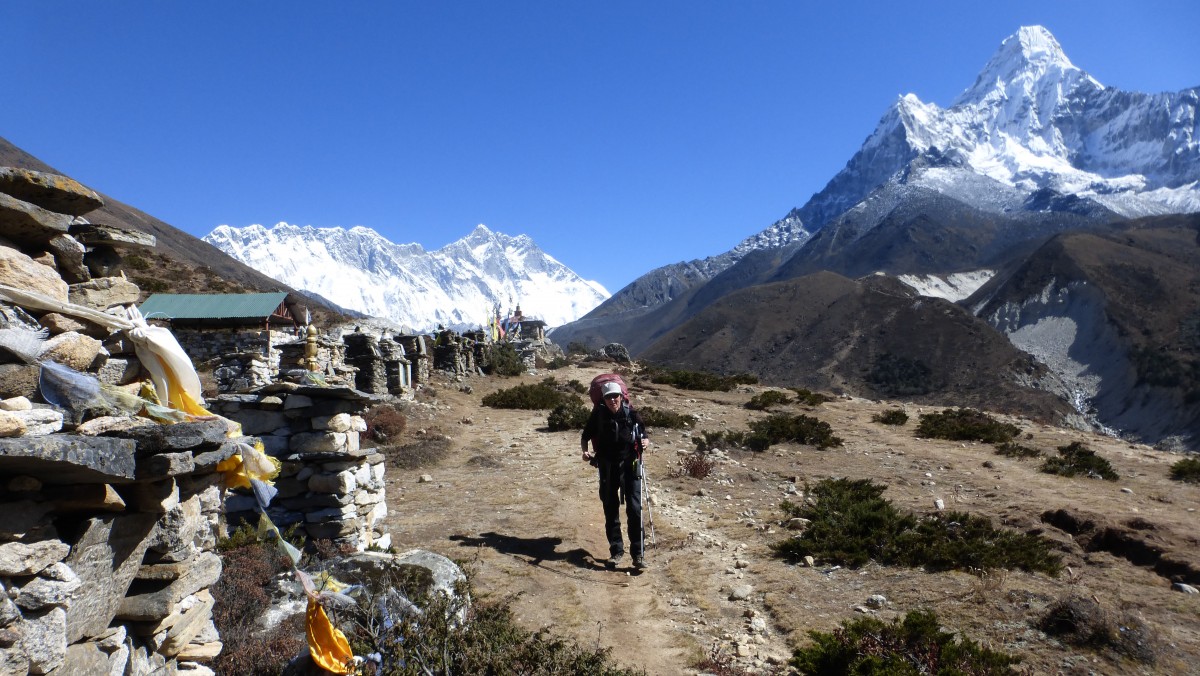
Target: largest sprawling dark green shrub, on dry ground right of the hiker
[(853, 524)]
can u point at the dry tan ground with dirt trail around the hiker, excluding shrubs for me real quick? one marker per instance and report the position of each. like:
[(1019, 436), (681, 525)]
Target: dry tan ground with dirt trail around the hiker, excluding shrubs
[(515, 502)]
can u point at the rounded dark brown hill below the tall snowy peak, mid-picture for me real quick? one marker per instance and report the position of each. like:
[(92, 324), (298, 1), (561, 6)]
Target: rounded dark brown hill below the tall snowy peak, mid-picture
[(869, 338)]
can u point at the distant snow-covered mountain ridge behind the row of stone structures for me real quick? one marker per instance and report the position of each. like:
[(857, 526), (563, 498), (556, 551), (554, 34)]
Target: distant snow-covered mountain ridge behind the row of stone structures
[(457, 286)]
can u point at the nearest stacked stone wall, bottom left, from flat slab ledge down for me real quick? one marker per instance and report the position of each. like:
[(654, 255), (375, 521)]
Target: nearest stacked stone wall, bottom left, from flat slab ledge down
[(107, 547)]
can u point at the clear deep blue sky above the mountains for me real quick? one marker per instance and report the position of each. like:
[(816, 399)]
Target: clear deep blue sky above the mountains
[(621, 136)]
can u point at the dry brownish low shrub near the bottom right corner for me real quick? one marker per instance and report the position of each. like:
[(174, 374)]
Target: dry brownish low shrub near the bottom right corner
[(1083, 623)]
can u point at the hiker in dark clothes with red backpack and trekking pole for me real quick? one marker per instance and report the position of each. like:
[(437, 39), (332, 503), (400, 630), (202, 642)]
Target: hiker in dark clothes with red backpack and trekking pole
[(619, 439)]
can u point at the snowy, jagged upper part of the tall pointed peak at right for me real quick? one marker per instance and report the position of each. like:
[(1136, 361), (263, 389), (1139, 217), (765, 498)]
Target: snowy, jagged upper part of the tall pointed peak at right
[(1033, 122)]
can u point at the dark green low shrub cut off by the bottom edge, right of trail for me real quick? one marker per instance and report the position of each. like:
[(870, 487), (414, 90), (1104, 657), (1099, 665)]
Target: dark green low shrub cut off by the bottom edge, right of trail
[(910, 647)]
